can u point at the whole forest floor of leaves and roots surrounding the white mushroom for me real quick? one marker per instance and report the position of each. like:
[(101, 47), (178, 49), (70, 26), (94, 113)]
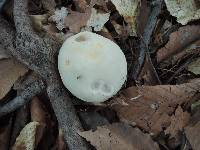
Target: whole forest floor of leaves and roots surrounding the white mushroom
[(158, 108)]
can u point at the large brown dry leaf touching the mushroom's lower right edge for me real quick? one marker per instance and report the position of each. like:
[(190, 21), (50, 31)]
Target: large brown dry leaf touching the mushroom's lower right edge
[(150, 107)]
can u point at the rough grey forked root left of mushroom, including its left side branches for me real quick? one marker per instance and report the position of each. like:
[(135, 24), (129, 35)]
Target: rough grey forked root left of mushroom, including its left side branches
[(39, 54)]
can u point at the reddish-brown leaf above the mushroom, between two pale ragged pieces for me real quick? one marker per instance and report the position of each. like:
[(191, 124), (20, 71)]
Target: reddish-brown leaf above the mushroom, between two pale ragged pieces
[(75, 20)]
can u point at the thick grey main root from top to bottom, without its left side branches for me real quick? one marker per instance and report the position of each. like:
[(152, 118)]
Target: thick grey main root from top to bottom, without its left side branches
[(37, 53)]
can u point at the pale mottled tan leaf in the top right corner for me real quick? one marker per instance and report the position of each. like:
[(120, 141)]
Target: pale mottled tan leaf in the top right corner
[(184, 10)]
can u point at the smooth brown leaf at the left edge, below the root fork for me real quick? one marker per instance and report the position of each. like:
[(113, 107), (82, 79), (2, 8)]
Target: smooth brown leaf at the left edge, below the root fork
[(10, 71)]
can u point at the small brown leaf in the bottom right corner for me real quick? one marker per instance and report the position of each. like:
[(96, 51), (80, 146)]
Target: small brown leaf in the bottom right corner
[(192, 134)]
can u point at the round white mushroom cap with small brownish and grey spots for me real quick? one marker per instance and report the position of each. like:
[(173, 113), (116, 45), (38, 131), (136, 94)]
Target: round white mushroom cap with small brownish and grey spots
[(92, 68)]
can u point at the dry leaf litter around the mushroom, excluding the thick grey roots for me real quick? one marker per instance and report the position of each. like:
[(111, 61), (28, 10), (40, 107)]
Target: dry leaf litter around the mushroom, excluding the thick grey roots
[(149, 108)]
